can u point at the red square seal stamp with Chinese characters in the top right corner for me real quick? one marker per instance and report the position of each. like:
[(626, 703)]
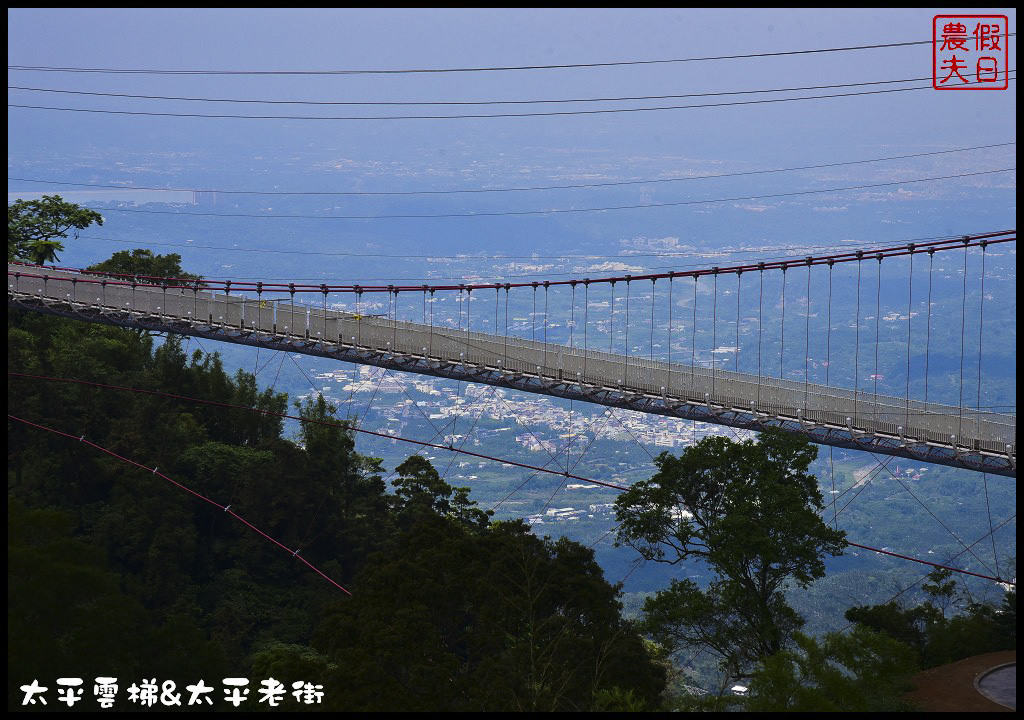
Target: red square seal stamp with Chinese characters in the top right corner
[(970, 53)]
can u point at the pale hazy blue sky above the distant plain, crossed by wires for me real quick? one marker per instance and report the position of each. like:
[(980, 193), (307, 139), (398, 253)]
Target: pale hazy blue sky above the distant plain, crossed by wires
[(424, 38)]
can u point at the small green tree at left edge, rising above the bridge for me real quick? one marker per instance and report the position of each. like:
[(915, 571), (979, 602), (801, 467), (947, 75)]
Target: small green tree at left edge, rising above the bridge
[(35, 228)]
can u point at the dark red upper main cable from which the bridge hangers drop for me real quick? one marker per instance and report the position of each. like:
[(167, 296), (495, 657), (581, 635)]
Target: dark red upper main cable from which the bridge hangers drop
[(178, 283)]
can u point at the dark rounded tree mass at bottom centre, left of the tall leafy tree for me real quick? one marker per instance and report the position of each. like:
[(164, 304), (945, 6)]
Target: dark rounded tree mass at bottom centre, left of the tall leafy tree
[(452, 619)]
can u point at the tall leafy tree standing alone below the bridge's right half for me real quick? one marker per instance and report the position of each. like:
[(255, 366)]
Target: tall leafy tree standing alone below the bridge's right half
[(751, 513)]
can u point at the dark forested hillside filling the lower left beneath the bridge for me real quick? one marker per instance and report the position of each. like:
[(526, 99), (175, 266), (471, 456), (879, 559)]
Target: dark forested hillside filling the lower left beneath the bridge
[(115, 572)]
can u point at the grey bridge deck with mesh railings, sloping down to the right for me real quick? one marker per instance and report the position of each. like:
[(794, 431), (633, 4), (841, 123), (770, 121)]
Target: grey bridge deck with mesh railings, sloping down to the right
[(930, 432)]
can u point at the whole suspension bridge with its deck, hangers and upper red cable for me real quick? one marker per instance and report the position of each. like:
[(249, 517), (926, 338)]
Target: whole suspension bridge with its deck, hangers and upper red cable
[(676, 364)]
